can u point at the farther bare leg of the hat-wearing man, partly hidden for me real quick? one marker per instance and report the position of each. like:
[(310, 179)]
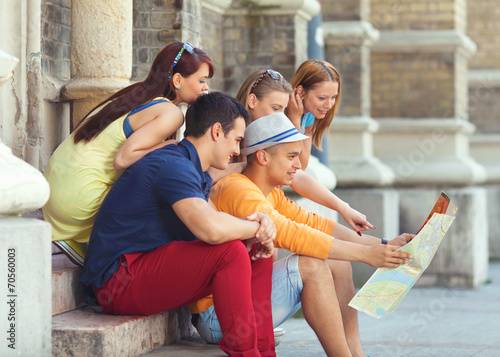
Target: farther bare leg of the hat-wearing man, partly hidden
[(342, 277)]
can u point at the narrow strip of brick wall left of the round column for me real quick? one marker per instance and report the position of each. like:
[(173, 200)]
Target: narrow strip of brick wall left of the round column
[(56, 38)]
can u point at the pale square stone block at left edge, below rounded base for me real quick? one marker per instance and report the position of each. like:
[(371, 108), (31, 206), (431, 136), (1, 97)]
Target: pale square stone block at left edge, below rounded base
[(26, 314)]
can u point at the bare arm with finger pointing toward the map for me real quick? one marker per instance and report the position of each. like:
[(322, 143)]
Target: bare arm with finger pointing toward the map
[(307, 186)]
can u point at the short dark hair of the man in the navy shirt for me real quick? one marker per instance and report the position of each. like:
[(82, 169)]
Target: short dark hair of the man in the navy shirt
[(215, 107)]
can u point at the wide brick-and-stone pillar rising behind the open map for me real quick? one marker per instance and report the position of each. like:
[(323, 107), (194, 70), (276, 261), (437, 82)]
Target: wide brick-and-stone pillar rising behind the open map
[(419, 96)]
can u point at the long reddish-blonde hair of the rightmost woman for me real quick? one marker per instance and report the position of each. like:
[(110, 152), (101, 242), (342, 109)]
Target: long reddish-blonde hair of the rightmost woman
[(308, 75)]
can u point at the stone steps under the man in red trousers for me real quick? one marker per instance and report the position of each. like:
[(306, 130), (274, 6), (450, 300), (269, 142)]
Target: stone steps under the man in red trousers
[(77, 330)]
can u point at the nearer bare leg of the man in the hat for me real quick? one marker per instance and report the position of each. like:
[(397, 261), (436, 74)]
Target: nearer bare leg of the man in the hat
[(321, 306)]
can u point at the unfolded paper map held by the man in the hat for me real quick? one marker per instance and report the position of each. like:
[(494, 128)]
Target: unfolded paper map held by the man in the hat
[(387, 287)]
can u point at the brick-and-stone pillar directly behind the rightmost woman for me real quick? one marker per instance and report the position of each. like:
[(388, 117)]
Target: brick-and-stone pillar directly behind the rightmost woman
[(351, 146)]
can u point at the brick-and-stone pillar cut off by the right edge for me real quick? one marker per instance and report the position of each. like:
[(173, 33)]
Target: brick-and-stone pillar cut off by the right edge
[(484, 105)]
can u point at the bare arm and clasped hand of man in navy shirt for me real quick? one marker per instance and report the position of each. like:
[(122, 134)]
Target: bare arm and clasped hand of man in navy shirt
[(215, 227)]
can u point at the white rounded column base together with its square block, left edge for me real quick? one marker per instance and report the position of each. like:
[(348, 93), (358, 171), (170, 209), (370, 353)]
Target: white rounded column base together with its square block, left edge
[(25, 263)]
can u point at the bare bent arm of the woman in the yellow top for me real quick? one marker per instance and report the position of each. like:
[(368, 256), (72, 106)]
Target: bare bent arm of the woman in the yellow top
[(155, 124)]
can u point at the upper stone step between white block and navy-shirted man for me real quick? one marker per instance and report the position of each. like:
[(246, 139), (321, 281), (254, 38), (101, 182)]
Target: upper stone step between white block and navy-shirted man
[(65, 290)]
